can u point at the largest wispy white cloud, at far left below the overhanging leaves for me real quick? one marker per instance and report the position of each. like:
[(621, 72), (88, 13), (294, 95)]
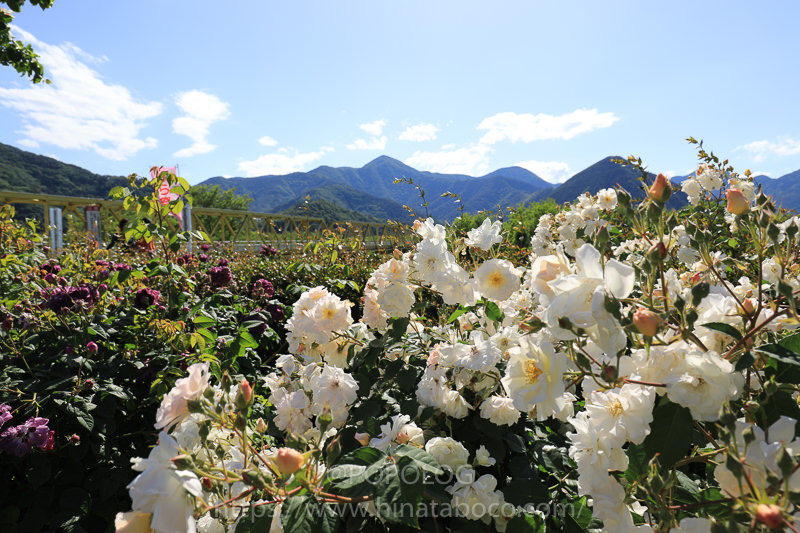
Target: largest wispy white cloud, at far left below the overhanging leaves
[(78, 110)]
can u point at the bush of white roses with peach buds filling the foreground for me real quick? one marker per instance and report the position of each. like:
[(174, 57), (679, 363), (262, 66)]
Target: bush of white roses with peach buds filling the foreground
[(638, 373)]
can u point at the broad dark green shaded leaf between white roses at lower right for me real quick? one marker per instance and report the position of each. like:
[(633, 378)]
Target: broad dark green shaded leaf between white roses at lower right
[(670, 433)]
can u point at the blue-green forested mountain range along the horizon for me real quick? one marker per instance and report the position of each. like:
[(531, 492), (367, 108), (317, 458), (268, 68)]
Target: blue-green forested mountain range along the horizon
[(373, 190)]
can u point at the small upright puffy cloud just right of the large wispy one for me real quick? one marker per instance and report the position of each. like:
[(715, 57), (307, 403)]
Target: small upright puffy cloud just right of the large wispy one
[(200, 110)]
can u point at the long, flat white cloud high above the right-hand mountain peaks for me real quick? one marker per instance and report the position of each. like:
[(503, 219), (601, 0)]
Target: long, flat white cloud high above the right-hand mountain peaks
[(529, 128)]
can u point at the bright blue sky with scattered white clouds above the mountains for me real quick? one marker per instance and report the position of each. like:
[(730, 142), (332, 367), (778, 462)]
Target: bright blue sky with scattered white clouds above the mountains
[(247, 87)]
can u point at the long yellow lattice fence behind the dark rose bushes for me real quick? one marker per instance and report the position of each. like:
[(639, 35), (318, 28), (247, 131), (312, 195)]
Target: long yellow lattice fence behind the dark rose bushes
[(241, 228)]
